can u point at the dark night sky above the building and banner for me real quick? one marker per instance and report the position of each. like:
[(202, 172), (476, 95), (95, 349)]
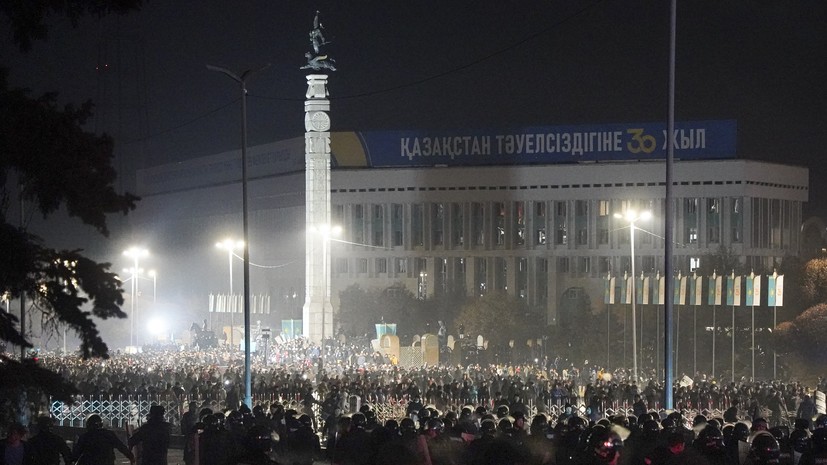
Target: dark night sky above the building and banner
[(441, 65)]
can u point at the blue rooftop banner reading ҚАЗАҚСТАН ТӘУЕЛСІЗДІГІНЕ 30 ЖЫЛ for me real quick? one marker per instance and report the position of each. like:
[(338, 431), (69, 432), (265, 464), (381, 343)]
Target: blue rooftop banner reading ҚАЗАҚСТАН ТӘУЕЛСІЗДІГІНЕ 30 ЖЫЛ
[(535, 145)]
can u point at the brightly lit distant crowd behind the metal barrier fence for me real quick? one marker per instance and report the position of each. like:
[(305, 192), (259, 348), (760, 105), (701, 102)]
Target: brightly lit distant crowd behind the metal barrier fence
[(293, 370)]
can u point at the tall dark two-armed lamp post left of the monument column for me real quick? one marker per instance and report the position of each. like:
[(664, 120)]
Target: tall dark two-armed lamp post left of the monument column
[(242, 80)]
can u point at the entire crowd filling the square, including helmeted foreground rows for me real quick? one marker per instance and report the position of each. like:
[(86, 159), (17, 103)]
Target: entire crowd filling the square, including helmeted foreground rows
[(532, 413)]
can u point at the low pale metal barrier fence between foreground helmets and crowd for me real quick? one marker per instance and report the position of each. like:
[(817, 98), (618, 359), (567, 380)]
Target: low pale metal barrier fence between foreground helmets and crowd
[(122, 411)]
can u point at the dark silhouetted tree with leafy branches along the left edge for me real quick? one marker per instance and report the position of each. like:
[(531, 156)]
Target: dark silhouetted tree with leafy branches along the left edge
[(50, 162)]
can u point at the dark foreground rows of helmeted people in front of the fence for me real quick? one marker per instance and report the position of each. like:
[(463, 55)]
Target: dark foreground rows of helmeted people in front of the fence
[(425, 436)]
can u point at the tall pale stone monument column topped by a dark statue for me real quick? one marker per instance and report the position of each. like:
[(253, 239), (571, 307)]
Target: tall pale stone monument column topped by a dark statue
[(317, 313)]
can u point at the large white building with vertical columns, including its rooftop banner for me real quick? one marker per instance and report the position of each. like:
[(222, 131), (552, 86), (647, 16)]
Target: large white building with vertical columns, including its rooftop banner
[(477, 212)]
